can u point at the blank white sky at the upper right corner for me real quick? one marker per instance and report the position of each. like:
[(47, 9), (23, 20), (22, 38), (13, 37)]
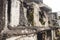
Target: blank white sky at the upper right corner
[(54, 4)]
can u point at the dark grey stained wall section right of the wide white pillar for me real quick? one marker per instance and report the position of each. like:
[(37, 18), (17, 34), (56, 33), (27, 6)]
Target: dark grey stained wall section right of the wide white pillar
[(22, 15)]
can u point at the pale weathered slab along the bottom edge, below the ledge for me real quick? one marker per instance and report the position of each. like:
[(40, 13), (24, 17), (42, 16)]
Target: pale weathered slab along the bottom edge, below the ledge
[(24, 37)]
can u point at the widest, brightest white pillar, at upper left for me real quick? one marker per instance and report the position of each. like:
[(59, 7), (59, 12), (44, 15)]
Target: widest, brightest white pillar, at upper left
[(15, 12)]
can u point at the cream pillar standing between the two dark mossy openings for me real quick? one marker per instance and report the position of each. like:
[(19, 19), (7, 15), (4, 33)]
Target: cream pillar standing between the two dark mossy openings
[(36, 15)]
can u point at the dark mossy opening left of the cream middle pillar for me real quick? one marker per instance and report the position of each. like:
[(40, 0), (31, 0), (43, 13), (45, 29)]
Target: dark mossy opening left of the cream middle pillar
[(30, 17)]
